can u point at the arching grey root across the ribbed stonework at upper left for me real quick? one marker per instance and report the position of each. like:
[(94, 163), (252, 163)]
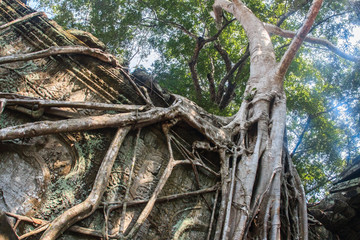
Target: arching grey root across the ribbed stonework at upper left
[(55, 50)]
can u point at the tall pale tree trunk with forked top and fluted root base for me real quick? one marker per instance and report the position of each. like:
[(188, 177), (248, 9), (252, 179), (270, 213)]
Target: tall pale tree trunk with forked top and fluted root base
[(256, 192)]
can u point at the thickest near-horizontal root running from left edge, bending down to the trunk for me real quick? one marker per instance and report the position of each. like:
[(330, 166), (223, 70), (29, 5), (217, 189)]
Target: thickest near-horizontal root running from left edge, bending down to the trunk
[(182, 108)]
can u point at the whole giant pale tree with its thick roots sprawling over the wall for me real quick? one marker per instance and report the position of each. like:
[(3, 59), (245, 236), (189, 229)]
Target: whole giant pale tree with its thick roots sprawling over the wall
[(261, 192)]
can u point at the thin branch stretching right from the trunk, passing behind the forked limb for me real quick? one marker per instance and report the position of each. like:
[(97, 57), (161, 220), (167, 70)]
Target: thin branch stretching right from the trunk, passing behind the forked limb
[(290, 34)]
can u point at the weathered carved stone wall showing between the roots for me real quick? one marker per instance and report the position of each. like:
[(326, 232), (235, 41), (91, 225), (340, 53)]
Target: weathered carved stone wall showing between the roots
[(43, 176)]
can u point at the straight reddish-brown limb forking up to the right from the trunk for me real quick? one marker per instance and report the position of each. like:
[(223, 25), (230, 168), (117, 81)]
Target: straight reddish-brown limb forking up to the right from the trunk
[(298, 39)]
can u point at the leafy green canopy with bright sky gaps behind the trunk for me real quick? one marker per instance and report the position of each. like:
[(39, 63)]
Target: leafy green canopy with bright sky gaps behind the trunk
[(210, 65)]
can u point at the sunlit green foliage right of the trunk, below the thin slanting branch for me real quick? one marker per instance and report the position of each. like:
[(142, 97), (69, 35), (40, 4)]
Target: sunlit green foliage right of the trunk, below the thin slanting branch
[(323, 96)]
